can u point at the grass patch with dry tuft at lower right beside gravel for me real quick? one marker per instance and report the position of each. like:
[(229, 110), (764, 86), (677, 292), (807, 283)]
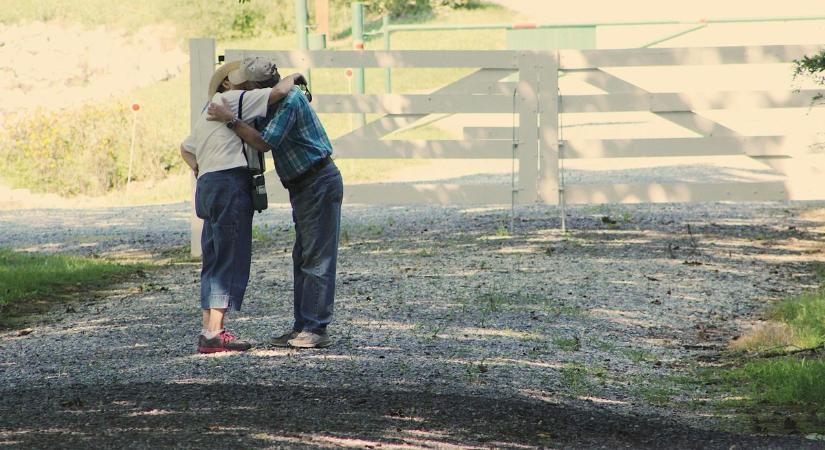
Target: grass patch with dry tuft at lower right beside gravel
[(780, 385)]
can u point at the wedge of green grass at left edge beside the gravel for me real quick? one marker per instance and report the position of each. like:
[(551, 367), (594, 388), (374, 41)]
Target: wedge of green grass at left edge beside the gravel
[(32, 283)]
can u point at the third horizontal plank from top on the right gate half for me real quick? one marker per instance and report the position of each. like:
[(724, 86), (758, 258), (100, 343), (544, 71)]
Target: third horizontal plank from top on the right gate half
[(665, 147)]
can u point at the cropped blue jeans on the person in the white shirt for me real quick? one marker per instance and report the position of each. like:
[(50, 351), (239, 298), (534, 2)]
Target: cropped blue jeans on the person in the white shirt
[(223, 200)]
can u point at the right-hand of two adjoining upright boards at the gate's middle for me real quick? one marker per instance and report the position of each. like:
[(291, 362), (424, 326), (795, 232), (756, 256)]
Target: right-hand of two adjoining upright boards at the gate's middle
[(549, 188)]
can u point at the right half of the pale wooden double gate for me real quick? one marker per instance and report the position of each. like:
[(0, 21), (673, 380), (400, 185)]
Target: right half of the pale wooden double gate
[(785, 153)]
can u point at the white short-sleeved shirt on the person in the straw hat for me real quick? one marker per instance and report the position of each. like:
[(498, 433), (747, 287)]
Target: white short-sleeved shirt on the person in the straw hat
[(215, 146)]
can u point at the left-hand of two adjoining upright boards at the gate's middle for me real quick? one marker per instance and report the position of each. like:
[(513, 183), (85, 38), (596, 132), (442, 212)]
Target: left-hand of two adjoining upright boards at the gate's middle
[(528, 145)]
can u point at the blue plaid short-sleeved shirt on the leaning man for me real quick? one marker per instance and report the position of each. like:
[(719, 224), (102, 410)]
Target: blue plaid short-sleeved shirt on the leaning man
[(297, 138)]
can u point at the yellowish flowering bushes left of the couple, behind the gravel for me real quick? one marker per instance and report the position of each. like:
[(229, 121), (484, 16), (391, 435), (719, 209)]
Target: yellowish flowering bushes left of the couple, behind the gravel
[(84, 151)]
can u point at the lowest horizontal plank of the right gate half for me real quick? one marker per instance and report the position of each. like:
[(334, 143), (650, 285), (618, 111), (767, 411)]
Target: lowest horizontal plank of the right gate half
[(675, 193)]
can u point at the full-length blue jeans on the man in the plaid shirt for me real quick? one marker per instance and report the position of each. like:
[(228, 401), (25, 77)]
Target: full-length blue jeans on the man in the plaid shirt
[(316, 211)]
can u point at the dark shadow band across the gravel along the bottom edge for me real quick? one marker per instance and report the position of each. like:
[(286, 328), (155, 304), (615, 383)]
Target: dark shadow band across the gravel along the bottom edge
[(258, 416)]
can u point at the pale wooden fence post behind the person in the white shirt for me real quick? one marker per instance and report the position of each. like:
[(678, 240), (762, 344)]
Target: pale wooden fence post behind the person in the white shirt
[(201, 67)]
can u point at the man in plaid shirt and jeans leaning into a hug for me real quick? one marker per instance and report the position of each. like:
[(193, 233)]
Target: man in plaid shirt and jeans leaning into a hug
[(302, 154)]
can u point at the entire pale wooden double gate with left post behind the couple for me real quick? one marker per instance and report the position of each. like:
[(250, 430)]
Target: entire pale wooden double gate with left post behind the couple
[(539, 105)]
